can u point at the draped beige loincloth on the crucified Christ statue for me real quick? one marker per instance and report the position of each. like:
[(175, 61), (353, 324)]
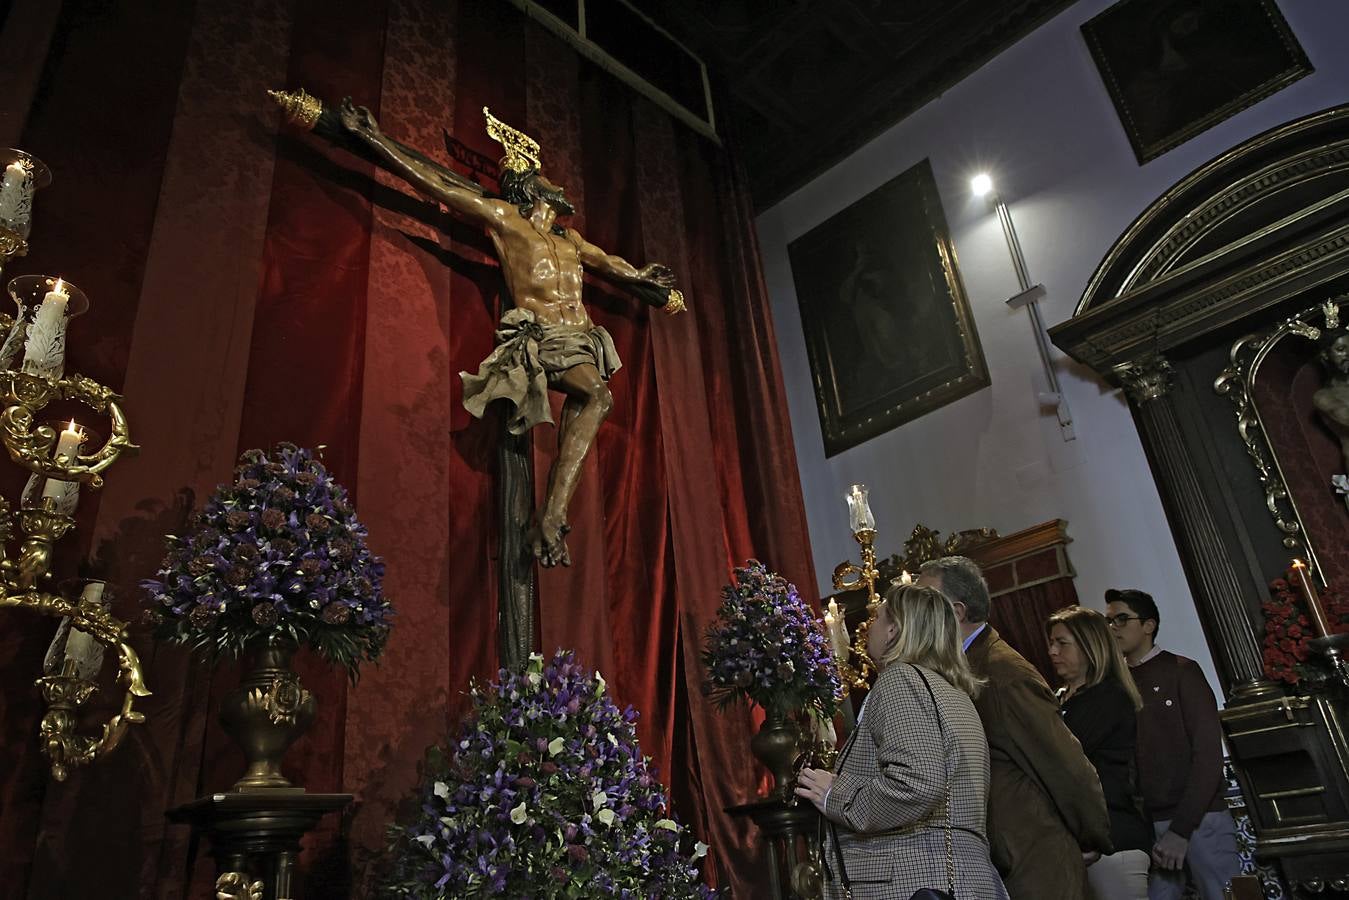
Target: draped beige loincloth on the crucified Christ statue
[(528, 360)]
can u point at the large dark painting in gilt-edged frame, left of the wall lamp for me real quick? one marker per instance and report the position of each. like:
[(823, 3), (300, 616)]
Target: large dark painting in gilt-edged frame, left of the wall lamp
[(887, 320)]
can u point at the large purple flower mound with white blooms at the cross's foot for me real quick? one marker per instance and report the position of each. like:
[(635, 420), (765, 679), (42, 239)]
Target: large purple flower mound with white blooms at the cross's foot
[(546, 794)]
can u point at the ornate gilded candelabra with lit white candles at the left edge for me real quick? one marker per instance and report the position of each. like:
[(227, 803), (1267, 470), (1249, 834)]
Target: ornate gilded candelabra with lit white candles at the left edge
[(33, 377)]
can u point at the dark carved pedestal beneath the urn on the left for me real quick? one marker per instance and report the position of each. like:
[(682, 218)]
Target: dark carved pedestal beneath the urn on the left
[(258, 832)]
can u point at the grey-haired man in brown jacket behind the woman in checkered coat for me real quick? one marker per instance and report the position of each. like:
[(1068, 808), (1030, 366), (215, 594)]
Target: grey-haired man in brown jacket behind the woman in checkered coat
[(1047, 816)]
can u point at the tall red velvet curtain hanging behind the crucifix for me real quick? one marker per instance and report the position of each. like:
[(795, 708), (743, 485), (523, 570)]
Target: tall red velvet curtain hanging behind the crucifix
[(250, 288)]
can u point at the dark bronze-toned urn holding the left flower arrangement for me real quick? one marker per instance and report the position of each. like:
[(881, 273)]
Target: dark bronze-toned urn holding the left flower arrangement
[(266, 714)]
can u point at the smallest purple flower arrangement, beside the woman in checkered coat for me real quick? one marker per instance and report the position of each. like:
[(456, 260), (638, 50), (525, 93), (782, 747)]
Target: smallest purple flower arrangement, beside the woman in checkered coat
[(768, 647)]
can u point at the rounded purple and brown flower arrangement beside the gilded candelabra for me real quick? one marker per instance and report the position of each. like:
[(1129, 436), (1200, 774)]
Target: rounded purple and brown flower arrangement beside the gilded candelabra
[(276, 555)]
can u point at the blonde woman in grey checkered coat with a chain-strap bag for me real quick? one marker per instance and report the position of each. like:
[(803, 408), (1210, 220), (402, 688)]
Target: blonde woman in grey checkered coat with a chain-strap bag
[(887, 804)]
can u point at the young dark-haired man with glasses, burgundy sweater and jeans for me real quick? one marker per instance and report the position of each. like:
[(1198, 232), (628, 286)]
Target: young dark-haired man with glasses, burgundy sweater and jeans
[(1180, 758)]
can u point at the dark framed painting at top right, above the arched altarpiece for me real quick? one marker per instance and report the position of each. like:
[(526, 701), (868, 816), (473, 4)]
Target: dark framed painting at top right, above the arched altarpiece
[(1177, 68)]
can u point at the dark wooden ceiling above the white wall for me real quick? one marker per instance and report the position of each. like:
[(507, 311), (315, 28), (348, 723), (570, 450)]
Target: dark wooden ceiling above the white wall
[(801, 84)]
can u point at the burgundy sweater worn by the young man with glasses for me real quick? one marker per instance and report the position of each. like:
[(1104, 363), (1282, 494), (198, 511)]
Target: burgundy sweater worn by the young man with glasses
[(1180, 743)]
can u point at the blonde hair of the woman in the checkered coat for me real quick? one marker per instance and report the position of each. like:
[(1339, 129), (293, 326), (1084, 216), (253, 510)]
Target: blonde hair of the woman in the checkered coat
[(929, 636)]
